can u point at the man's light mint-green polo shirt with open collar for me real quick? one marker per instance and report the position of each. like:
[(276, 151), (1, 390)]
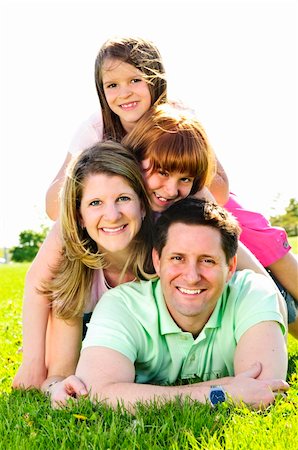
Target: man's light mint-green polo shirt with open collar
[(133, 319)]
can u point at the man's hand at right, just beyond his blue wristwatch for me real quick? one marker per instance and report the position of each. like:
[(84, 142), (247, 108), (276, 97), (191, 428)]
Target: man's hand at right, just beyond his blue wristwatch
[(255, 392)]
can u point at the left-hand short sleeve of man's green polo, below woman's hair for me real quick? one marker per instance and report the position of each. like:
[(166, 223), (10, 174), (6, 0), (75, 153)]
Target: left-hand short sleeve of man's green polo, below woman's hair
[(114, 326)]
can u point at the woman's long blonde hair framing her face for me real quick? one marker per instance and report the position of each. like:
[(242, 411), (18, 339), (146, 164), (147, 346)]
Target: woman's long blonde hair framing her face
[(72, 278)]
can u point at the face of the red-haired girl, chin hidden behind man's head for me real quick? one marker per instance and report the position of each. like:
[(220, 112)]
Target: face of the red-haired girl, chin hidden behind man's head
[(164, 188)]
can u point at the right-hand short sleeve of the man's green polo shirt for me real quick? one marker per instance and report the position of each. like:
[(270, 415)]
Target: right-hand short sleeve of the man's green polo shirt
[(256, 302)]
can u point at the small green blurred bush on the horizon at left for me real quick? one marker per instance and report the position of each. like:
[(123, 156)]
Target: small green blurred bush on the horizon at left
[(29, 241)]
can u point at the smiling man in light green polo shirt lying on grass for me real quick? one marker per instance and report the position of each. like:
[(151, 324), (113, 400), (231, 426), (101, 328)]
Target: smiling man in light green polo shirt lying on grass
[(200, 320)]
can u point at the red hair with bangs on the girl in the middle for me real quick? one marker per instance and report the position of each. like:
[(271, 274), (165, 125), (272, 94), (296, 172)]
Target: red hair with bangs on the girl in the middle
[(174, 140)]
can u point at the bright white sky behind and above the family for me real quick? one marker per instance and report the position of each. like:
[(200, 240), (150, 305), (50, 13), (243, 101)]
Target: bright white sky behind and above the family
[(234, 62)]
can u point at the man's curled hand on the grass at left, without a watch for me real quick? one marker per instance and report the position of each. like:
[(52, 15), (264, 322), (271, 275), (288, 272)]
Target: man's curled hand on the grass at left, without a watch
[(62, 391)]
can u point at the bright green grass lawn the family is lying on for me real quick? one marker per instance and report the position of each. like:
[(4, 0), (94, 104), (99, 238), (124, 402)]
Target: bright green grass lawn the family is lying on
[(28, 422)]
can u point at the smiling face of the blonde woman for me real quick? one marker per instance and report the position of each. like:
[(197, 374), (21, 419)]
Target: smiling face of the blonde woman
[(110, 211)]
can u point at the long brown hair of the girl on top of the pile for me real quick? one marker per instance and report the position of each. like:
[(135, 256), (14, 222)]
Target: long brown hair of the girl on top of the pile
[(143, 55)]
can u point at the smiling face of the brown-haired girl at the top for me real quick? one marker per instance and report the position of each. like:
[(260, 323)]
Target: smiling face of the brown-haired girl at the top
[(126, 90)]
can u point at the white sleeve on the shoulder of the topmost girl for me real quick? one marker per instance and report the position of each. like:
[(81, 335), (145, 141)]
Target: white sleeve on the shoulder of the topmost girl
[(89, 133)]
